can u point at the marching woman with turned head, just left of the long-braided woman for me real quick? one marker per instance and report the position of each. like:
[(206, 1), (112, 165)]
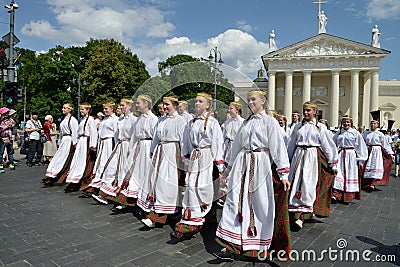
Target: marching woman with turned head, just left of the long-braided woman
[(159, 195)]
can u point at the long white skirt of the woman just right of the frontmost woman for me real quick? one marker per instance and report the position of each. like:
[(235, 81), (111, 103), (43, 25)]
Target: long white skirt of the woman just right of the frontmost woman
[(305, 178)]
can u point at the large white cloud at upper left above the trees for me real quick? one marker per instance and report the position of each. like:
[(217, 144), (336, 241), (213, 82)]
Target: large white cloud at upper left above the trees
[(77, 21)]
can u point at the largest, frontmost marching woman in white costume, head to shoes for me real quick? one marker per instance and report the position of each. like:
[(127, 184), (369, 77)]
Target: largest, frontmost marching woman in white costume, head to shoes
[(247, 224)]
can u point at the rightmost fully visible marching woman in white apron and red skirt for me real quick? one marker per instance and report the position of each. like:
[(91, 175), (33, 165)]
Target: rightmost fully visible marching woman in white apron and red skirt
[(380, 156)]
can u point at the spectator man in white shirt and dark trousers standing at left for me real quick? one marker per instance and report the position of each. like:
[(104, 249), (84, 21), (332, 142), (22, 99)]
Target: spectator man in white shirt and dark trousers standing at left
[(34, 128)]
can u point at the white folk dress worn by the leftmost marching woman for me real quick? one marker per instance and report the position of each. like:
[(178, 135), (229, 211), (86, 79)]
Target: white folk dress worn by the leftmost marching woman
[(67, 138)]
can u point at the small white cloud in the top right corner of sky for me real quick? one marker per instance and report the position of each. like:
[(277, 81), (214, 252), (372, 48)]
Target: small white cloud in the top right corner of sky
[(383, 9)]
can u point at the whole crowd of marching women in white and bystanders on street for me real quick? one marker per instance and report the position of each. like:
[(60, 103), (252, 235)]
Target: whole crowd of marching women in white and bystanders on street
[(268, 176)]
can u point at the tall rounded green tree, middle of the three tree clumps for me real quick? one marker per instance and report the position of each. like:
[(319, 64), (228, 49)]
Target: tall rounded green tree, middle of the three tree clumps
[(111, 72)]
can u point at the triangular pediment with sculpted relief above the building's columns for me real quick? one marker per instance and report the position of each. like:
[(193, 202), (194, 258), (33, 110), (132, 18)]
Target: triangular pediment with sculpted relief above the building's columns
[(326, 45)]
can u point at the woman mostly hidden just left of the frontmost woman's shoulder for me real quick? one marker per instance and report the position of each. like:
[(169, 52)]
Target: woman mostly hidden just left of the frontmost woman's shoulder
[(229, 130)]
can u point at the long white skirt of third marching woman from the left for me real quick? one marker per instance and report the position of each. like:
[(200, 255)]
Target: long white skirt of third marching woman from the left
[(104, 152)]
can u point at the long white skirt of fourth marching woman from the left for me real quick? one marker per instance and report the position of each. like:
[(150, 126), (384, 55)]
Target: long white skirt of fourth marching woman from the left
[(115, 169)]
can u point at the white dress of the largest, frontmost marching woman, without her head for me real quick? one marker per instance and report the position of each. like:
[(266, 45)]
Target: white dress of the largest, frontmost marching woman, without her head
[(248, 214)]
